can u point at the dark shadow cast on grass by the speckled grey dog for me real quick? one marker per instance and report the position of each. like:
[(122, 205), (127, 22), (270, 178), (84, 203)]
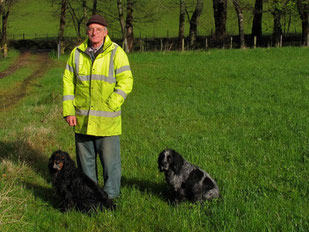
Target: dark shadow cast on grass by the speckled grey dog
[(161, 190)]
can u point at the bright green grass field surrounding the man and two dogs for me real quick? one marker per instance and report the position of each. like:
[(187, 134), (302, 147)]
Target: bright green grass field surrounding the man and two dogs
[(241, 115)]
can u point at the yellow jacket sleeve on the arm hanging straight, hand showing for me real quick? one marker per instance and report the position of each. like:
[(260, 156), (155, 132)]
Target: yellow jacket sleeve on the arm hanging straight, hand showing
[(69, 87)]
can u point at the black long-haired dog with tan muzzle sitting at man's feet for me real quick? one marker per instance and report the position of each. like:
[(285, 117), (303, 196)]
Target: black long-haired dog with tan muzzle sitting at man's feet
[(76, 189)]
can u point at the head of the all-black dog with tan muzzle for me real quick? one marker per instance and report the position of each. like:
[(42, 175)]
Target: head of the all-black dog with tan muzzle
[(58, 161)]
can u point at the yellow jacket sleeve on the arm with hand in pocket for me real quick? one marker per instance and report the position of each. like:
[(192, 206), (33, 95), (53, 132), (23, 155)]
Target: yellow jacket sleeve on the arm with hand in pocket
[(124, 80)]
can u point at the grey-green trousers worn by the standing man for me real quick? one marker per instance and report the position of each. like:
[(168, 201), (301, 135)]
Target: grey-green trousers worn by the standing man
[(108, 150)]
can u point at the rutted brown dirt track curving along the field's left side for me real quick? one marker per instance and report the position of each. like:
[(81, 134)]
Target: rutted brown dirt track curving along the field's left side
[(38, 61)]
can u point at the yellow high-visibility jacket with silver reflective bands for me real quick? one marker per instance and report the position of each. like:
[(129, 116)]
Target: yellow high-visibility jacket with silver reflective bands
[(94, 91)]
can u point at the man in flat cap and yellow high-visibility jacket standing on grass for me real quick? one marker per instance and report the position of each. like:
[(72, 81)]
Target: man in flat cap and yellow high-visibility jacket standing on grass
[(96, 81)]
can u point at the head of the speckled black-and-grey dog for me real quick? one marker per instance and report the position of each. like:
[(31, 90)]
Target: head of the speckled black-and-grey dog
[(170, 159)]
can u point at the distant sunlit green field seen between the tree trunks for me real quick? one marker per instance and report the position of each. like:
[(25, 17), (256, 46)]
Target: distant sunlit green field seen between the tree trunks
[(39, 19)]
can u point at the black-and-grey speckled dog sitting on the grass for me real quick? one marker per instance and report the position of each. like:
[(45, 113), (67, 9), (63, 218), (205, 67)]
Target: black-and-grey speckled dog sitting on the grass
[(188, 181)]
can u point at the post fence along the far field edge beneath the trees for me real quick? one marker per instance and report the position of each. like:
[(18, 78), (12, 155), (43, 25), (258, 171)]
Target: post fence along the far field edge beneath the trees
[(48, 41)]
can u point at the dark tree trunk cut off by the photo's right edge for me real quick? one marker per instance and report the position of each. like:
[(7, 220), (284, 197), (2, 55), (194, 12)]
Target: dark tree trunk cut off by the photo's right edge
[(303, 10)]
